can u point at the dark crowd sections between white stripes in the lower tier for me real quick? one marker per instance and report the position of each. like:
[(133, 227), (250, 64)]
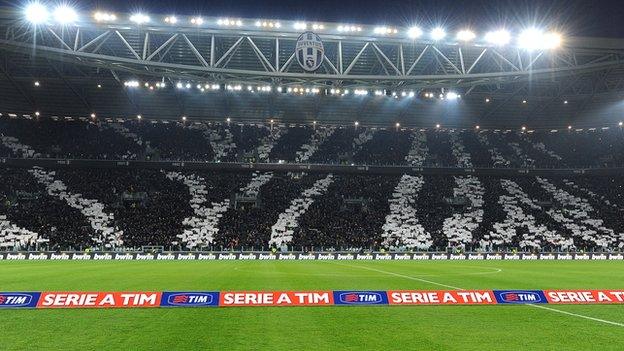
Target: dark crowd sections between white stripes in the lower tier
[(151, 209)]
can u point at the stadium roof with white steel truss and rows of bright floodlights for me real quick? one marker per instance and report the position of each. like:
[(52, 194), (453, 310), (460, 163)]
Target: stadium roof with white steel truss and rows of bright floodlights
[(246, 69)]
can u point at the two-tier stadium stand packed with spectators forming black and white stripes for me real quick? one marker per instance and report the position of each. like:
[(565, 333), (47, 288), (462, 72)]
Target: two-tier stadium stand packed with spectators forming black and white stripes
[(114, 208)]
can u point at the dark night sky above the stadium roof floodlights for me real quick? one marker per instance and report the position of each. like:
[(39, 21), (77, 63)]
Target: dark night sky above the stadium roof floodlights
[(574, 17)]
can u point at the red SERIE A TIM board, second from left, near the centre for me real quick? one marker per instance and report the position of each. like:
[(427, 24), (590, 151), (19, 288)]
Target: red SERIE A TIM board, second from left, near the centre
[(276, 298)]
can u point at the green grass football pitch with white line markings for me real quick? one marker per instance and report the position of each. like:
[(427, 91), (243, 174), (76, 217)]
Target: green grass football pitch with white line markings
[(520, 327)]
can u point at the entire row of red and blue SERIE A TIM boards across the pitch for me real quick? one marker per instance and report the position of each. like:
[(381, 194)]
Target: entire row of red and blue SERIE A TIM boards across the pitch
[(168, 299)]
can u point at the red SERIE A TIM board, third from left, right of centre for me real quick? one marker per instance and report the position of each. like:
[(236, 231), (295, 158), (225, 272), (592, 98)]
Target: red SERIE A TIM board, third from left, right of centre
[(440, 297)]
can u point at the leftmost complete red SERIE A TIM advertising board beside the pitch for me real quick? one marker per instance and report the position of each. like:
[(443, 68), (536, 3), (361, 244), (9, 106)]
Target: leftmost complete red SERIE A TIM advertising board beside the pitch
[(98, 299)]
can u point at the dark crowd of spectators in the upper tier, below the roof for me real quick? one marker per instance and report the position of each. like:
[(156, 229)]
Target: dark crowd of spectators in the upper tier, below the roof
[(178, 141)]
